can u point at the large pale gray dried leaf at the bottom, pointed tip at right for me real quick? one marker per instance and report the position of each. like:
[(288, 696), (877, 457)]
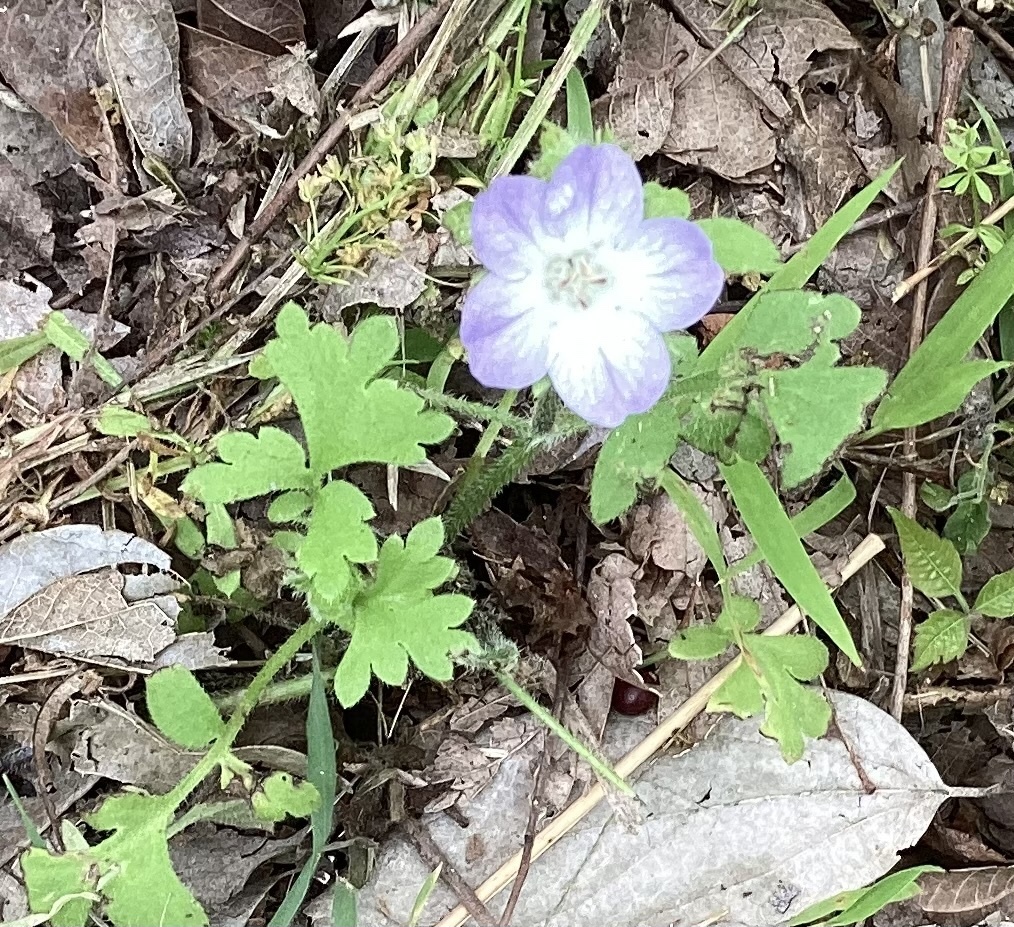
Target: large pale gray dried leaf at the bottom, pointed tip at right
[(735, 835)]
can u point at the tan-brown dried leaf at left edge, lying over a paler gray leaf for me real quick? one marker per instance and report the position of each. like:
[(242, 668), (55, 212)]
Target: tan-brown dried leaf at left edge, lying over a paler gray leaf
[(88, 616)]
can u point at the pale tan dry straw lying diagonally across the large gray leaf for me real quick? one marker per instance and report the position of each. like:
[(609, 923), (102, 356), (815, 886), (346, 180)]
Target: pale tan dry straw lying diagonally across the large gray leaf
[(561, 826)]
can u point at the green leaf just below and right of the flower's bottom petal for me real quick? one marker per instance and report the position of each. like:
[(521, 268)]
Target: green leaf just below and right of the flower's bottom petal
[(633, 454)]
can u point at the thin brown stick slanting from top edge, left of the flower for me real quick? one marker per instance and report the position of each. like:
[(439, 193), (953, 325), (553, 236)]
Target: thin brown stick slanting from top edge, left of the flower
[(379, 81)]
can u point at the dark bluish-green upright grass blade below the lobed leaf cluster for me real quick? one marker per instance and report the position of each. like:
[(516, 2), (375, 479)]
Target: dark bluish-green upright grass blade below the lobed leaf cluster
[(322, 767)]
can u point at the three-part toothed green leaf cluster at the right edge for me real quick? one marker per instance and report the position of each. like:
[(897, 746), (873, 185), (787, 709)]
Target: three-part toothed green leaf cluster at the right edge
[(934, 565)]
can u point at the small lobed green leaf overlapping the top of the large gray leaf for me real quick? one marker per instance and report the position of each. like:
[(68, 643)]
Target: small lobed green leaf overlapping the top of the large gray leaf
[(792, 711)]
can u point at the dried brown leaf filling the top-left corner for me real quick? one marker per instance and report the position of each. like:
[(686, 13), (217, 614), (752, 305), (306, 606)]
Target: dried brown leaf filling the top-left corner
[(48, 57)]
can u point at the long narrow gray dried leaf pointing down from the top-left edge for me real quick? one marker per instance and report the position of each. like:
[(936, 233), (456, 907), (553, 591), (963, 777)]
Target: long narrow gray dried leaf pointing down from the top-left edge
[(140, 48)]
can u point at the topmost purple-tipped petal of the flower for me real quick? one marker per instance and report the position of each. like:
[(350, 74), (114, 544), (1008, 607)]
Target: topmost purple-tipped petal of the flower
[(595, 197)]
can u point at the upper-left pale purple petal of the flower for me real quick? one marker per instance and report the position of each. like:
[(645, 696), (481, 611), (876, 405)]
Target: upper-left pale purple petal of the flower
[(506, 230)]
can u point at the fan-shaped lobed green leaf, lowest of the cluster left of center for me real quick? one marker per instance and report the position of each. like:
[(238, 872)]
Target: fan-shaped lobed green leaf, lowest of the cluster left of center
[(399, 617)]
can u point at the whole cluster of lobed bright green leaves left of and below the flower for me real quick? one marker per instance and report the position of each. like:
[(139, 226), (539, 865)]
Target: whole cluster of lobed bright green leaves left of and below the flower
[(383, 597)]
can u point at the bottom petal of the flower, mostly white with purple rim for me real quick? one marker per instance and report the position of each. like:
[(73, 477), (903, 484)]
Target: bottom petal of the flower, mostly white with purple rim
[(607, 366)]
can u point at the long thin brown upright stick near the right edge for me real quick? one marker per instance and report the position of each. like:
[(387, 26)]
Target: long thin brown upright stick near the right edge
[(957, 58)]
